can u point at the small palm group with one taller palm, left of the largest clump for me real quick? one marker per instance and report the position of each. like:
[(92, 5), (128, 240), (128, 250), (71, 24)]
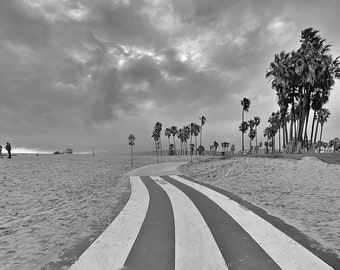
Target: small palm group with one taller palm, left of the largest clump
[(251, 124)]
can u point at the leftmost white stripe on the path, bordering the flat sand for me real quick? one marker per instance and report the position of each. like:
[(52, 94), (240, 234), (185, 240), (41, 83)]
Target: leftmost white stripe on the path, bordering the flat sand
[(113, 246)]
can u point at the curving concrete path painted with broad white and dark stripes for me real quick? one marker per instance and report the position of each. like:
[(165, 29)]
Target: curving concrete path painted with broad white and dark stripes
[(173, 222)]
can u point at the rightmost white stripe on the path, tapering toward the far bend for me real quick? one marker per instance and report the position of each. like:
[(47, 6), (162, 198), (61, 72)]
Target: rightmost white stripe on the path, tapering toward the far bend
[(286, 252)]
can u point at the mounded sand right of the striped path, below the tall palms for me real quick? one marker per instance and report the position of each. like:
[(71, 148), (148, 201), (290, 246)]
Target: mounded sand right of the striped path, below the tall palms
[(304, 193)]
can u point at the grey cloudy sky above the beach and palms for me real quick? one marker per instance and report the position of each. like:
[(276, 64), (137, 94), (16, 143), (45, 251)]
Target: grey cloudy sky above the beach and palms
[(90, 72)]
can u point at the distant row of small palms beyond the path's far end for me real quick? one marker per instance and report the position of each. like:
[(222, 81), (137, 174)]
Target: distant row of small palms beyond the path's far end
[(187, 136)]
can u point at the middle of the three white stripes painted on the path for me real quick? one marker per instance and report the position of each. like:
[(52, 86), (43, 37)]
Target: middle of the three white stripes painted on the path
[(195, 246)]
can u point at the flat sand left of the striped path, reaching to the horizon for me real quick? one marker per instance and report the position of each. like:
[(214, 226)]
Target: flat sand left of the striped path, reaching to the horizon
[(52, 207)]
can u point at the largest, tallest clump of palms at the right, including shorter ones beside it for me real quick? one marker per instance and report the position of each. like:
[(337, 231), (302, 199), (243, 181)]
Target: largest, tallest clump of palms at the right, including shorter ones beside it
[(302, 80)]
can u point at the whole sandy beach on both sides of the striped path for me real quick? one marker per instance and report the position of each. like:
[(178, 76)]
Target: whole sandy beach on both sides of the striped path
[(53, 206)]
